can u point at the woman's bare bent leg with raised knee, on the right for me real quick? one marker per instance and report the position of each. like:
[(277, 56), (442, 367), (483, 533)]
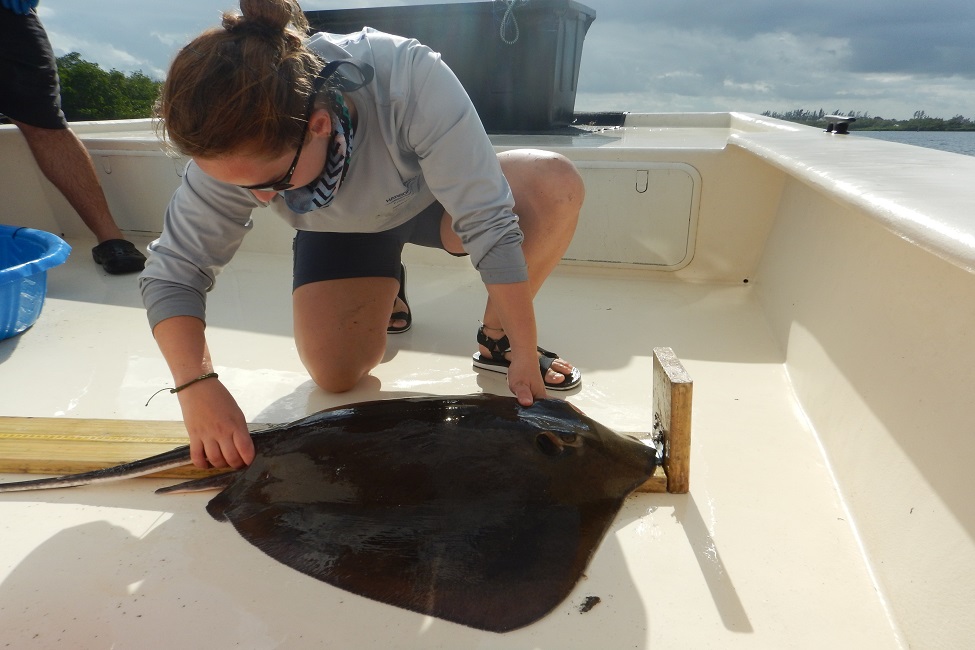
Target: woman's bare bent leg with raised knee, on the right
[(548, 192)]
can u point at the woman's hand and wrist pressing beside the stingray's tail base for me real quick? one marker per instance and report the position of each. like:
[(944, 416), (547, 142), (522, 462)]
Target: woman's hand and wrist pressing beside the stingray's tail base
[(216, 426)]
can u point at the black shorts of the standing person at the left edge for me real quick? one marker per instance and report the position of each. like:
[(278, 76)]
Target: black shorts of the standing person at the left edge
[(30, 91)]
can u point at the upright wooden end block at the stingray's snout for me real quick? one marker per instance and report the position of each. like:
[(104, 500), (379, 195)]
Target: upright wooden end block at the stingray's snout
[(672, 390)]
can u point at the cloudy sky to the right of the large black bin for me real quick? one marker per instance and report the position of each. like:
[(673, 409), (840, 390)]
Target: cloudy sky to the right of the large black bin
[(888, 58)]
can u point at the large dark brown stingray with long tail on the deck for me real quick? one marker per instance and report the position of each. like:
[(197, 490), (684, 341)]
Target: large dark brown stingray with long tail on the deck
[(471, 509)]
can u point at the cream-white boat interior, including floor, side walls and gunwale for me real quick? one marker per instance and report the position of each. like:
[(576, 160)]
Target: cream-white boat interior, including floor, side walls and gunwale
[(831, 447)]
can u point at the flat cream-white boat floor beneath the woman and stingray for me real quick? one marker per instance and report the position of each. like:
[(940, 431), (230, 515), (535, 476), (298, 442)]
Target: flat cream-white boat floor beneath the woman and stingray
[(759, 554)]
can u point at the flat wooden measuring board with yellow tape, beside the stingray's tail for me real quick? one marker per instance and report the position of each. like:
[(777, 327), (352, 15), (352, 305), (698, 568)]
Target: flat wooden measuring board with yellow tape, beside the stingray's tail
[(61, 446)]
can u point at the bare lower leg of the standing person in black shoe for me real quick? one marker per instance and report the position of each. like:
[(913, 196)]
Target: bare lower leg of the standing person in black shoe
[(66, 163)]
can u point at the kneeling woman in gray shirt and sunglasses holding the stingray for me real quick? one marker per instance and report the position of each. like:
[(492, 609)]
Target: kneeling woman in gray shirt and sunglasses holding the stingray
[(362, 142)]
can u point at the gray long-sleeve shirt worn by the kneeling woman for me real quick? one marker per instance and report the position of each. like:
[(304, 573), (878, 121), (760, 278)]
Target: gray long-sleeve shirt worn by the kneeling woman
[(418, 139)]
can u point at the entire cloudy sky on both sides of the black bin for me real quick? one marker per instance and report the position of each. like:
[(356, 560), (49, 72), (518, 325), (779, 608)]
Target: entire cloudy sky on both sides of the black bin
[(887, 58)]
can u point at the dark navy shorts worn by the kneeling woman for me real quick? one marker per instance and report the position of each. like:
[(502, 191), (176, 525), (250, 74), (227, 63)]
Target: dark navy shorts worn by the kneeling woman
[(341, 255)]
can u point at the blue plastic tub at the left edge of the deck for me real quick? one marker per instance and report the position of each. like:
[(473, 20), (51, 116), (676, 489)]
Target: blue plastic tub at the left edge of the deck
[(25, 256)]
